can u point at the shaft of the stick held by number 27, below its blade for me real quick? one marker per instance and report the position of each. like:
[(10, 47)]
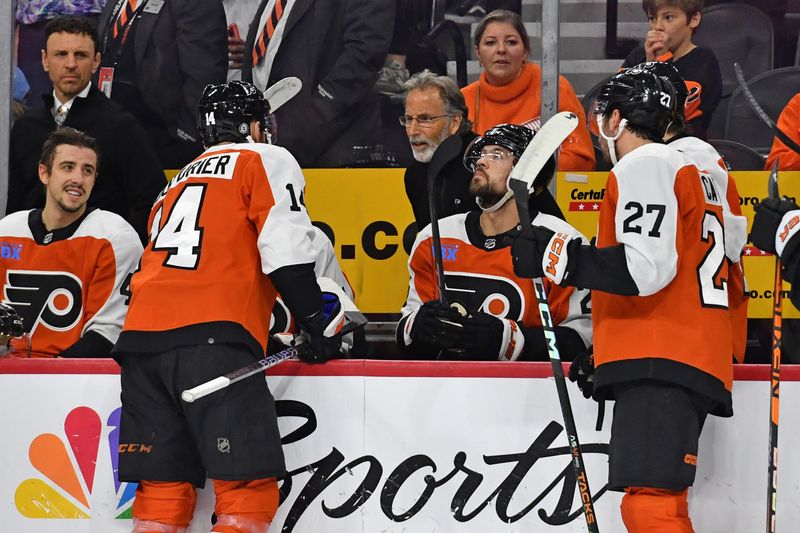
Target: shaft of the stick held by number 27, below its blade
[(520, 190)]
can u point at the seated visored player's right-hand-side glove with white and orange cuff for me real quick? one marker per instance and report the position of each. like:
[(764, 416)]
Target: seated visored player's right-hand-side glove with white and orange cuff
[(489, 338)]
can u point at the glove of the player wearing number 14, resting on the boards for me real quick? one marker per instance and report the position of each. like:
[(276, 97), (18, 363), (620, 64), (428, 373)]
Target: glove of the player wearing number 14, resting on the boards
[(322, 329)]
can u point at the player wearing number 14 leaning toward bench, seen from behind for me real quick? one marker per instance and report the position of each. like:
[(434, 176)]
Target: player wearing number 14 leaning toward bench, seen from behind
[(228, 232)]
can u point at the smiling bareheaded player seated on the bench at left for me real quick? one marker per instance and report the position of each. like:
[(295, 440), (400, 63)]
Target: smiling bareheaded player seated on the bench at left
[(64, 267)]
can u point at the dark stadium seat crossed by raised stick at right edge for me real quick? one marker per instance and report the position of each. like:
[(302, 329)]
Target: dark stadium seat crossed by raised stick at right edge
[(772, 90)]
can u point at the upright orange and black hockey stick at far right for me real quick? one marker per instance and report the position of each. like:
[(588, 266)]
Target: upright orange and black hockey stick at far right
[(775, 377)]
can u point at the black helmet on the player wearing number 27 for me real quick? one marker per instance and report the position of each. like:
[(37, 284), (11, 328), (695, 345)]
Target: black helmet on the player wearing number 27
[(644, 99)]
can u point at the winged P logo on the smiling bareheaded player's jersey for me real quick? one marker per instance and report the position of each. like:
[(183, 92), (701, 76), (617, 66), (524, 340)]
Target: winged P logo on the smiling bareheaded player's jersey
[(54, 299)]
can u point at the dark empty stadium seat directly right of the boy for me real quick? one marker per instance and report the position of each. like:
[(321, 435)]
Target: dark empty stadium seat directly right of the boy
[(737, 33)]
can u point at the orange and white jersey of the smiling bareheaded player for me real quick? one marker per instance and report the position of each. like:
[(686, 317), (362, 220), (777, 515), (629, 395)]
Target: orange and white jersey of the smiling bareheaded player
[(69, 281)]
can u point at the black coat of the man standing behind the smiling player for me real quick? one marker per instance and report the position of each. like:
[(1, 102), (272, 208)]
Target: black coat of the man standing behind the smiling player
[(129, 176)]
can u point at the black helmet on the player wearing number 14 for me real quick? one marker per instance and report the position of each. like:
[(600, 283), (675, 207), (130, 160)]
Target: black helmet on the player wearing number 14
[(225, 110)]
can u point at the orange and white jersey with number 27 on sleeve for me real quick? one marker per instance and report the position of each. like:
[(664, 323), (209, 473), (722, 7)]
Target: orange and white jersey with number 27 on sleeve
[(670, 220)]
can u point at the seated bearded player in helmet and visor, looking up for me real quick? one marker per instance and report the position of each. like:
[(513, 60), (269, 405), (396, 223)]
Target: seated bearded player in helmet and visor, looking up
[(492, 313)]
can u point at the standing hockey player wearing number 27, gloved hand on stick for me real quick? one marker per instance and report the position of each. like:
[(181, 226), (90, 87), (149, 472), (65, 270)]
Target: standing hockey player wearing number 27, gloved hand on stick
[(659, 280)]
